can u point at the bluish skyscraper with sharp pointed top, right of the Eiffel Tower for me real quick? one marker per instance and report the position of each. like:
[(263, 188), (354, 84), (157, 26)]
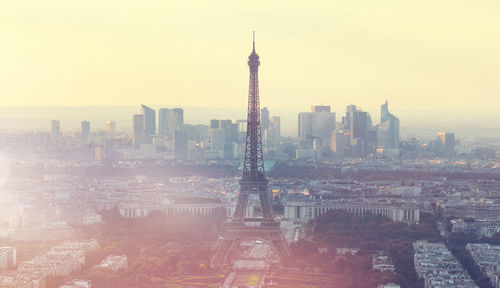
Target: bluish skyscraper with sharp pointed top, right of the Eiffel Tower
[(388, 129)]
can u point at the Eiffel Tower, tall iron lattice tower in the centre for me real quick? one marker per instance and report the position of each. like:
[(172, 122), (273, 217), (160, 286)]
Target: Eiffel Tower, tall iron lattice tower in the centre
[(253, 182)]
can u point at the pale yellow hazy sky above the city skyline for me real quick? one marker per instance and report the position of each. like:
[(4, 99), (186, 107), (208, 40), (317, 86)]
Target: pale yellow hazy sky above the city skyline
[(420, 54)]
